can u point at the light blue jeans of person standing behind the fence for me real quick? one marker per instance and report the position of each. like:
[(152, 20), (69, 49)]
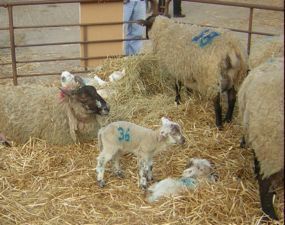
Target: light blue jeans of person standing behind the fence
[(134, 10)]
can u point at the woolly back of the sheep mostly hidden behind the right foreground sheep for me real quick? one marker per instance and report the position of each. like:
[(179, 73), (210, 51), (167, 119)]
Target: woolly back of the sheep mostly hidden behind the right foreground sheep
[(265, 48)]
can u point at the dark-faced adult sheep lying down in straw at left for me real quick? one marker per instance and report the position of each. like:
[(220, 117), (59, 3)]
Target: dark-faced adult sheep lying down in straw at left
[(59, 117)]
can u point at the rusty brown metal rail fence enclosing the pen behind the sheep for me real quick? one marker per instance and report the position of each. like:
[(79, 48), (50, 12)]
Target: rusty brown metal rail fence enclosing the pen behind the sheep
[(13, 46)]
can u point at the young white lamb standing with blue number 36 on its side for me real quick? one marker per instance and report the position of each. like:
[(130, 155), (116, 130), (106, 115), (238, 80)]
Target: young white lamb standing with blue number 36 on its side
[(121, 137)]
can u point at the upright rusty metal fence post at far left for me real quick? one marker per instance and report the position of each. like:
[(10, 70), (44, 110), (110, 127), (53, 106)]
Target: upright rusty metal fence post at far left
[(12, 44)]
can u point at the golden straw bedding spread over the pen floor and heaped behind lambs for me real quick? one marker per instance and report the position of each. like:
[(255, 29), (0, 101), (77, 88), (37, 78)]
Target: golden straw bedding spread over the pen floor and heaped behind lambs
[(43, 184)]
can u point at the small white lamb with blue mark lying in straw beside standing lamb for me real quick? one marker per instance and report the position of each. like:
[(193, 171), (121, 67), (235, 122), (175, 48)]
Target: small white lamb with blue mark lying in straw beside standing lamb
[(197, 169)]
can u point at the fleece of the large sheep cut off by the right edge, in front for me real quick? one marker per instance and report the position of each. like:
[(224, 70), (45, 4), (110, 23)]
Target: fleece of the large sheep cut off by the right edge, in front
[(261, 110)]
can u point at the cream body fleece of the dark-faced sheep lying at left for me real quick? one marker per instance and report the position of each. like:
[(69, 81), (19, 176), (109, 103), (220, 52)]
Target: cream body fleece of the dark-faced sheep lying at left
[(36, 111)]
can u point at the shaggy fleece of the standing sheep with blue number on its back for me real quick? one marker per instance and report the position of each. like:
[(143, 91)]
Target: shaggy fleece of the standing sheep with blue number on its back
[(195, 55)]
